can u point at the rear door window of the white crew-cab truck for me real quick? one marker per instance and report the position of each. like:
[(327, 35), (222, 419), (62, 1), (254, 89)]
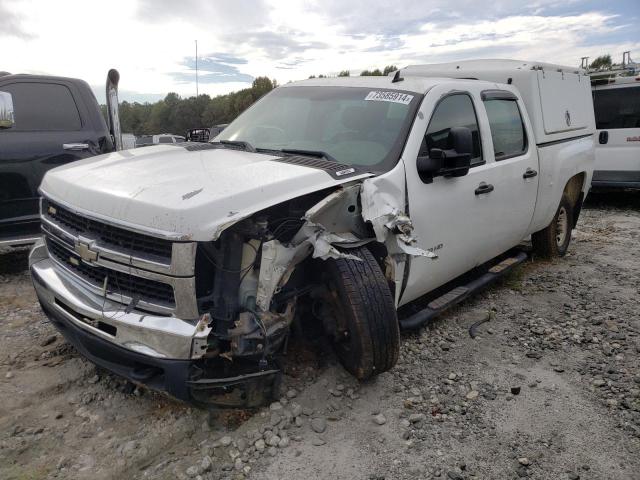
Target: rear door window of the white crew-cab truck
[(508, 133)]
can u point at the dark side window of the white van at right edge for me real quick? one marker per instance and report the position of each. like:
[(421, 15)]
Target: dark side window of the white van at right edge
[(617, 107)]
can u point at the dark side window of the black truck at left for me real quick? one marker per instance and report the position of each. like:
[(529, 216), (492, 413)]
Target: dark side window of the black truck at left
[(43, 107)]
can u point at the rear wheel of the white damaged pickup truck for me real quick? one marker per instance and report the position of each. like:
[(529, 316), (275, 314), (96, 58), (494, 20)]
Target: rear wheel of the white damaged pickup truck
[(554, 240)]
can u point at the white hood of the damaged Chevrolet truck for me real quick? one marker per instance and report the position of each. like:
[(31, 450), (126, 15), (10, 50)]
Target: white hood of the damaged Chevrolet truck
[(173, 192)]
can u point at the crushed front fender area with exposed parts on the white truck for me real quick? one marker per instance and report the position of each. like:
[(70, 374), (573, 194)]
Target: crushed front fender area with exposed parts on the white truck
[(263, 274)]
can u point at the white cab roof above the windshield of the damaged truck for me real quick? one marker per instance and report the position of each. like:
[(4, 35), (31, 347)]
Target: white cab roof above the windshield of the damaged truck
[(411, 84)]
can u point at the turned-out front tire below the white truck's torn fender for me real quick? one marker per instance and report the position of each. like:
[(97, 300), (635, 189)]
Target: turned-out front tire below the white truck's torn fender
[(364, 321)]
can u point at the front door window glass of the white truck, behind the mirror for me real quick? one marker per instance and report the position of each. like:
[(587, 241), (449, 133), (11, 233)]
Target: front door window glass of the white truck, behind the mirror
[(453, 111)]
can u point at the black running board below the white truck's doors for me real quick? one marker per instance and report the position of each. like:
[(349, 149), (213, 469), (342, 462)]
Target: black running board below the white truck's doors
[(458, 294)]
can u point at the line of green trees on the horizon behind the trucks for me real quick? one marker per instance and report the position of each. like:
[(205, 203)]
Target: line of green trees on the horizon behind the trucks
[(176, 115)]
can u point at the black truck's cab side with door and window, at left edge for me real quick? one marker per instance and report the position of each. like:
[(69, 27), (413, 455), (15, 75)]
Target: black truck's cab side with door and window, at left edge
[(48, 131)]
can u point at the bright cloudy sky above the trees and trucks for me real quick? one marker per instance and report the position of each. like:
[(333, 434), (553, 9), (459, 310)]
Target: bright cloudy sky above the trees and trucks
[(151, 42)]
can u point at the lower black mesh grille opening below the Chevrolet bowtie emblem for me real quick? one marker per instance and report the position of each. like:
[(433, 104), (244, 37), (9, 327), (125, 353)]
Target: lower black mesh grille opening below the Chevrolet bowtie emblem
[(118, 283)]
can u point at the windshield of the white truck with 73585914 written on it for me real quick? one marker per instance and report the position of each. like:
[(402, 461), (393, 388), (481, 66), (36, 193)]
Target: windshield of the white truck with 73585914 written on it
[(364, 127)]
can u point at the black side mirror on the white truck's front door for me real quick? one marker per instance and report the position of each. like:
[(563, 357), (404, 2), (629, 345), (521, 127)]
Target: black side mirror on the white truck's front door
[(454, 162)]
